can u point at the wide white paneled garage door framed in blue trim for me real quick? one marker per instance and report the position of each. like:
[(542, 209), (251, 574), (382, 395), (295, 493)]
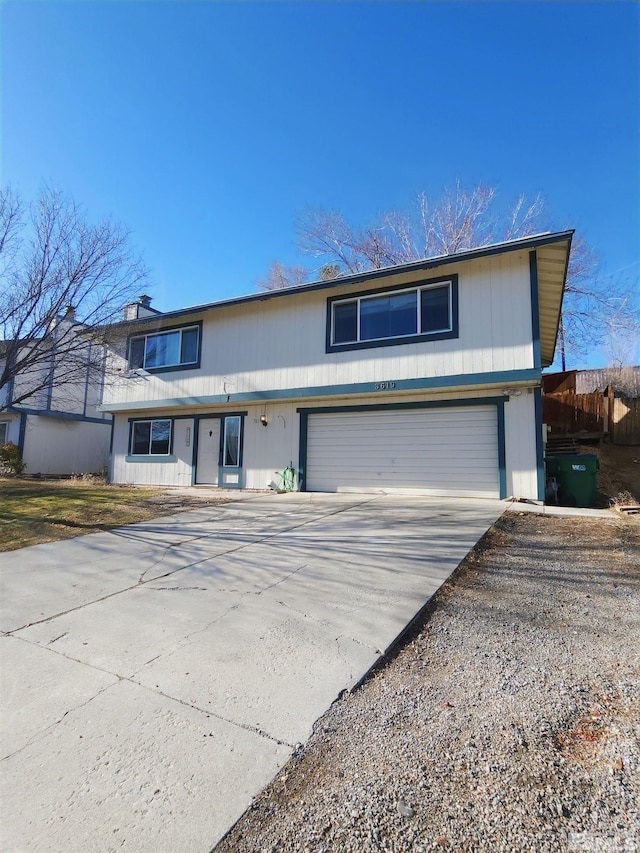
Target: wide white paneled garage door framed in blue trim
[(444, 451)]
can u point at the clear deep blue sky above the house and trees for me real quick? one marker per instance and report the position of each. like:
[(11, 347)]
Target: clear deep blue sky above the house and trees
[(206, 127)]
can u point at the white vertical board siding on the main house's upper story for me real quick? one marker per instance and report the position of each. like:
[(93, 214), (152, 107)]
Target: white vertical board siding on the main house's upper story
[(280, 343)]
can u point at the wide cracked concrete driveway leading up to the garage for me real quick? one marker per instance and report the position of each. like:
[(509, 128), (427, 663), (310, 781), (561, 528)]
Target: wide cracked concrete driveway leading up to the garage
[(156, 677)]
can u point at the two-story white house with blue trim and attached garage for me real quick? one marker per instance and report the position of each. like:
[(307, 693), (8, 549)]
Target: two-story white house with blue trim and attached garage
[(424, 377)]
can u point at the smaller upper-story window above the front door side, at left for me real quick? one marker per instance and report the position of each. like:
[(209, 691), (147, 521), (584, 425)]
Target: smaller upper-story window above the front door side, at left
[(172, 349)]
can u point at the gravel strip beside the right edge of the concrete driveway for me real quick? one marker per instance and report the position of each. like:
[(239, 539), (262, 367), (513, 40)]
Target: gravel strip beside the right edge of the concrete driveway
[(511, 720)]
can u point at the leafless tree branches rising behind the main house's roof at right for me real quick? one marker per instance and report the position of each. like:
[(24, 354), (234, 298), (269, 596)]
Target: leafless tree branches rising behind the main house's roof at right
[(466, 218)]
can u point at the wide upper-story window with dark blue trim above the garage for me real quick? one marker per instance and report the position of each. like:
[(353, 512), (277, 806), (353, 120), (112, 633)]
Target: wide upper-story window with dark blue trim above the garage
[(399, 315)]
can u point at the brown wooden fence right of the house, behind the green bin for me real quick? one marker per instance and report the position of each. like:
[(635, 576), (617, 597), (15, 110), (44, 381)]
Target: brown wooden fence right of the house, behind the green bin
[(568, 413)]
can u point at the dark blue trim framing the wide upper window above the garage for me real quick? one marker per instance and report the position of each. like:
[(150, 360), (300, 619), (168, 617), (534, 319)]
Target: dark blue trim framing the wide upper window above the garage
[(399, 341)]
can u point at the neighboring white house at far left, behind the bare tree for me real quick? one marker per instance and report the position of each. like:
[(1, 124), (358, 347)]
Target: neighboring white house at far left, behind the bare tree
[(58, 429)]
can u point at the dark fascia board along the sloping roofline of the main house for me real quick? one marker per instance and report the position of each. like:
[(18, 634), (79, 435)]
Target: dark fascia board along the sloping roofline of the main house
[(355, 278)]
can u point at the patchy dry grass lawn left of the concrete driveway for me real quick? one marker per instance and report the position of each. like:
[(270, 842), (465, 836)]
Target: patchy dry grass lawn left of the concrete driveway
[(33, 511)]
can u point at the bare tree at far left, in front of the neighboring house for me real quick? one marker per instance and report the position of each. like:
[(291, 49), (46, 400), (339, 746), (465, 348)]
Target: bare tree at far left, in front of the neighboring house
[(63, 281)]
